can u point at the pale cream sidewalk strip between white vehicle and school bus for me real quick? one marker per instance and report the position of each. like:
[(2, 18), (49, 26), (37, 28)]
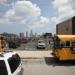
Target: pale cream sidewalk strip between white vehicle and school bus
[(34, 54)]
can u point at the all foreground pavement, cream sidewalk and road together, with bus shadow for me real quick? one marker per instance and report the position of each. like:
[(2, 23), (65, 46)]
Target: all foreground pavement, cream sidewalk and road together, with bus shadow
[(42, 63)]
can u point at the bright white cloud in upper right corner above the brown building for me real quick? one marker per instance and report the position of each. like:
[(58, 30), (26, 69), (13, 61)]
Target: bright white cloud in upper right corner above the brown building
[(65, 9)]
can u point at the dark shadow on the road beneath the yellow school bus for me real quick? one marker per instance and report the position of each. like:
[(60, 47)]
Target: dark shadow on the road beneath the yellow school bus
[(54, 62)]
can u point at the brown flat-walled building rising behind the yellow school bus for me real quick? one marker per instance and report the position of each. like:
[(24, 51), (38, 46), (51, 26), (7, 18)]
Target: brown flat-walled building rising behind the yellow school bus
[(66, 27)]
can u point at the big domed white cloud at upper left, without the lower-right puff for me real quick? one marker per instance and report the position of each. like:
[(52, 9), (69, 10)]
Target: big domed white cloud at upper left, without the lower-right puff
[(23, 10)]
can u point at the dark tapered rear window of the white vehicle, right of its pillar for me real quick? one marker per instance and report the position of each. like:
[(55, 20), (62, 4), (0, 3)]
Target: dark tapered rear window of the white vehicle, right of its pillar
[(14, 62)]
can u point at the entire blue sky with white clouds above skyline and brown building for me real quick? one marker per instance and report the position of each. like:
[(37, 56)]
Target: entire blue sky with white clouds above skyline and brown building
[(38, 15)]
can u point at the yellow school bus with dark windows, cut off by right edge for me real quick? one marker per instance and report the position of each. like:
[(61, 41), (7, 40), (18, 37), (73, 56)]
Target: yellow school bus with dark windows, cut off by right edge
[(64, 47)]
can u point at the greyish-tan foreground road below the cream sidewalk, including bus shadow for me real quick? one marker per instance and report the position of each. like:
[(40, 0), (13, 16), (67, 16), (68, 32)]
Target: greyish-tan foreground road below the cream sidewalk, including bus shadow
[(47, 66)]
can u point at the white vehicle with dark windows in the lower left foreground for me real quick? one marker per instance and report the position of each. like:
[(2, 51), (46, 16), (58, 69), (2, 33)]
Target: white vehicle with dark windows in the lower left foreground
[(10, 64)]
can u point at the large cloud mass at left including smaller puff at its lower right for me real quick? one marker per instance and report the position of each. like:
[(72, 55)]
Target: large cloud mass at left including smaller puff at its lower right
[(26, 13)]
